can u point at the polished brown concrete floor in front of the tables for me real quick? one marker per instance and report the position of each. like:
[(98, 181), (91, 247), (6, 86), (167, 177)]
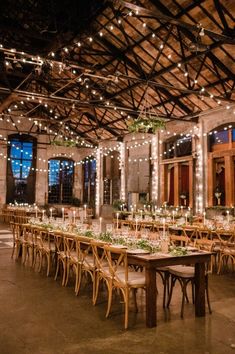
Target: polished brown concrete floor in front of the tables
[(39, 316)]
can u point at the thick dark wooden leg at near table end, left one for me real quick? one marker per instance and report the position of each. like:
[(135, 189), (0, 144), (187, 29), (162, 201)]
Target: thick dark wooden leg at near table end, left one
[(151, 297)]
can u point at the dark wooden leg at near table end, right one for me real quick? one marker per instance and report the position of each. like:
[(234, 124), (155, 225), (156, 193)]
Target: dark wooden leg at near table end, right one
[(200, 289)]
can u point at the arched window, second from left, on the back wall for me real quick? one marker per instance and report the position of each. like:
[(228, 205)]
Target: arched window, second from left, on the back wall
[(60, 183)]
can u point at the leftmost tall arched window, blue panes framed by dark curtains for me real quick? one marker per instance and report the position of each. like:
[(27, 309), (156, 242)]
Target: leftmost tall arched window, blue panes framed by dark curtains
[(21, 169)]
